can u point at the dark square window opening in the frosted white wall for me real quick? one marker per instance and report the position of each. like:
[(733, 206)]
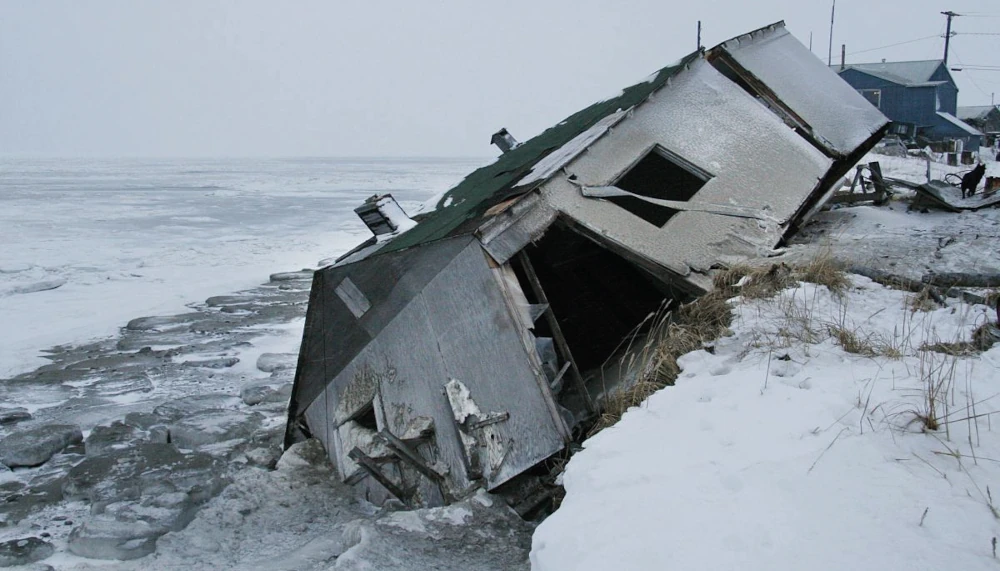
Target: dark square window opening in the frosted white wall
[(663, 175)]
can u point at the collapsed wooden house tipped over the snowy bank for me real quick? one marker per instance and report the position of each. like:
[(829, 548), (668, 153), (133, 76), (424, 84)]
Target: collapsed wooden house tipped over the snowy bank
[(467, 349)]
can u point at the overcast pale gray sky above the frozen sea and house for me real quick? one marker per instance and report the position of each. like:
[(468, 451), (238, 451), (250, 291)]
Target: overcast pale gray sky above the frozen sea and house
[(390, 77)]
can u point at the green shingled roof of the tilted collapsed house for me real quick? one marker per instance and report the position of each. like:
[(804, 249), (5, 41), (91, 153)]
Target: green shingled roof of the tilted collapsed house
[(494, 183)]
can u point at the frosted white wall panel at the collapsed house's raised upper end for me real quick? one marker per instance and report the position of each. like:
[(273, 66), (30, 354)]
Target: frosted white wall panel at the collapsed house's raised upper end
[(833, 108)]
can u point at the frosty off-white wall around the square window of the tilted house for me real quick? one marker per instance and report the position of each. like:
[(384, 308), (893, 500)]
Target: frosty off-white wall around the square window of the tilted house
[(756, 161)]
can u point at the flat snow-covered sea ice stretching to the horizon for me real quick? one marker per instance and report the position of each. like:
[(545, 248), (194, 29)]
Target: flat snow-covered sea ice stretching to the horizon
[(117, 239)]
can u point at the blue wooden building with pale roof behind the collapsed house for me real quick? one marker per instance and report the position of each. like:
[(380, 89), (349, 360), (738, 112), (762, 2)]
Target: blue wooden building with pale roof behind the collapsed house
[(920, 97)]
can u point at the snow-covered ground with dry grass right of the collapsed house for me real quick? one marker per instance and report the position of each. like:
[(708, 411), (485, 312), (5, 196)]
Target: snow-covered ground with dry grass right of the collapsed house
[(777, 449)]
